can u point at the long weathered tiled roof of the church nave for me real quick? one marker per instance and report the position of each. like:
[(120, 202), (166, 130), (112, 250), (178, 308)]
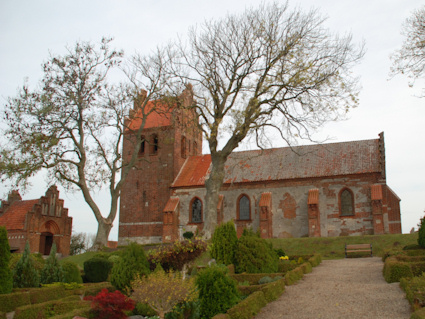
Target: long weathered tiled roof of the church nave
[(323, 160)]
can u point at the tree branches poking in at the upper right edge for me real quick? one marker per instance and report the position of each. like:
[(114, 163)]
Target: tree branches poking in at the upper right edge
[(410, 59)]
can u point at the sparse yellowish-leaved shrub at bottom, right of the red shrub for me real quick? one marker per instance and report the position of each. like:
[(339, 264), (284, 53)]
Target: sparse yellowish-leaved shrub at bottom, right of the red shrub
[(162, 291)]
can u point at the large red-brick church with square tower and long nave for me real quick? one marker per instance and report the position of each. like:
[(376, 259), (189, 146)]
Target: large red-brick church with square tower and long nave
[(325, 190)]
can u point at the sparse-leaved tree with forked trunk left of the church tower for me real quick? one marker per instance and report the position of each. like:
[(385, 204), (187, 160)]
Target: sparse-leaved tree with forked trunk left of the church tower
[(74, 124)]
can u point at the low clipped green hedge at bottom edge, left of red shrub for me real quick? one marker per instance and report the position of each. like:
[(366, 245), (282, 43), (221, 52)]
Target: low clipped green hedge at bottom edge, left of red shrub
[(50, 308)]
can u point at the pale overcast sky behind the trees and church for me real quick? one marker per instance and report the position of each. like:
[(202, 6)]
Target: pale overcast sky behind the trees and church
[(30, 30)]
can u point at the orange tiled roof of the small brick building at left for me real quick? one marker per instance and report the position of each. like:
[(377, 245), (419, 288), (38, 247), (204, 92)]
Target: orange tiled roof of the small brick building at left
[(14, 217)]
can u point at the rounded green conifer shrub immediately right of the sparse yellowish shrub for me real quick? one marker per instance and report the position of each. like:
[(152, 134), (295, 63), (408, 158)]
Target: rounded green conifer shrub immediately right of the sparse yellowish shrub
[(217, 291)]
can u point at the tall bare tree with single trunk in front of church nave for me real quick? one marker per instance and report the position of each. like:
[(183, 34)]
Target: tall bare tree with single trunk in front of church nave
[(266, 69)]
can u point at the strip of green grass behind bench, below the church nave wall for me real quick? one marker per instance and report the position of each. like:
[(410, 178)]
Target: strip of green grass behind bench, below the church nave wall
[(333, 247)]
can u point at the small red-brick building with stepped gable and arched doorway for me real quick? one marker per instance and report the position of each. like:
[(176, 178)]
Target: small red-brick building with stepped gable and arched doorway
[(41, 222)]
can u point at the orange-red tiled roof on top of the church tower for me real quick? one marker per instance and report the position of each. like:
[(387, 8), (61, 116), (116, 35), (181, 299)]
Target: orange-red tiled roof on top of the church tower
[(158, 118)]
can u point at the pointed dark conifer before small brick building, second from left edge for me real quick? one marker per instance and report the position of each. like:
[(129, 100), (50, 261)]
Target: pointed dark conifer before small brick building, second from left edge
[(24, 274)]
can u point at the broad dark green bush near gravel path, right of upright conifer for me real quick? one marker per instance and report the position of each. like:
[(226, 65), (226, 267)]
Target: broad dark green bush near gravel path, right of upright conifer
[(255, 255)]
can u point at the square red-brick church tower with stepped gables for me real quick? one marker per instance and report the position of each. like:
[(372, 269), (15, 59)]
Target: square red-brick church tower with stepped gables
[(169, 136)]
